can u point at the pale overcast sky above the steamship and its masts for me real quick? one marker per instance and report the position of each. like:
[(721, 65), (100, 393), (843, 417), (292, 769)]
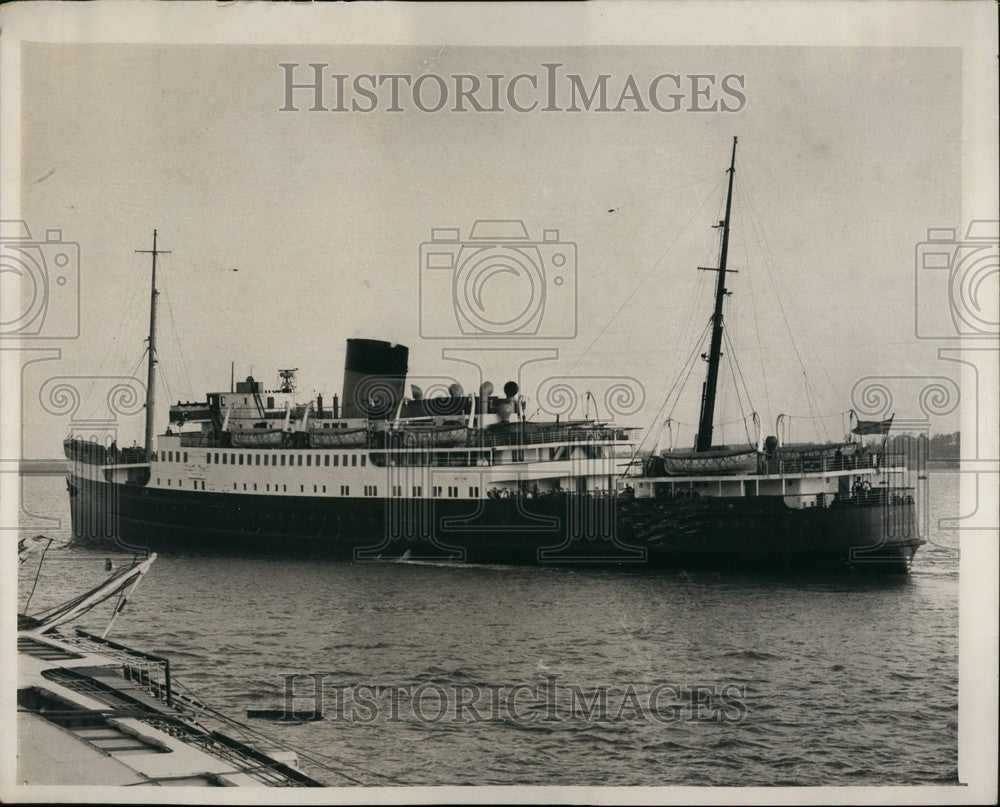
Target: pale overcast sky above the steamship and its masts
[(292, 231)]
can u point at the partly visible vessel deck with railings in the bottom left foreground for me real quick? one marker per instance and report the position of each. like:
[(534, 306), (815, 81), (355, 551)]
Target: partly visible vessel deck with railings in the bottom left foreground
[(93, 711)]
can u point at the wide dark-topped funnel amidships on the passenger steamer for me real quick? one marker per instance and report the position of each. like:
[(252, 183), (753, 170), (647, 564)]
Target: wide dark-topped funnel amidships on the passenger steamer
[(374, 378)]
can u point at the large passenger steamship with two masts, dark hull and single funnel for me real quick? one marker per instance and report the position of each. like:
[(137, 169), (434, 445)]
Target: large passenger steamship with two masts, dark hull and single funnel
[(376, 475)]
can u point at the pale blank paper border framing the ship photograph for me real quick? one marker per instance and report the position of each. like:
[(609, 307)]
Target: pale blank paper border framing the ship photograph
[(970, 26)]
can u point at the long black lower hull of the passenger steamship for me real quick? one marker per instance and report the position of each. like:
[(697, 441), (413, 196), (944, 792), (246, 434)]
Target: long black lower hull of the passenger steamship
[(738, 534)]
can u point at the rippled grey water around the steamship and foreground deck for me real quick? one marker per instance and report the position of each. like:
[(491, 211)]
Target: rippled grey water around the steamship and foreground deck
[(844, 681)]
